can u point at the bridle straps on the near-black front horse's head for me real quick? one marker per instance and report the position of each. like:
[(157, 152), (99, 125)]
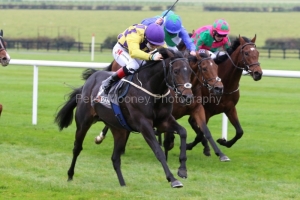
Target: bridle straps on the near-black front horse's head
[(169, 75)]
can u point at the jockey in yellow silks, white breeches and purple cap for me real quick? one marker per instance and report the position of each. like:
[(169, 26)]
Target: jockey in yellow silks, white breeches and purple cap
[(133, 47)]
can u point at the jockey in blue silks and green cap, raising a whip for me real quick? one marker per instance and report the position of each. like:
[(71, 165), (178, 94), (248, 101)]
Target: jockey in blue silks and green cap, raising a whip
[(174, 31)]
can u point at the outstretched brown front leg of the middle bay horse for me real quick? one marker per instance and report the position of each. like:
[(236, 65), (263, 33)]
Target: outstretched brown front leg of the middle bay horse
[(199, 116)]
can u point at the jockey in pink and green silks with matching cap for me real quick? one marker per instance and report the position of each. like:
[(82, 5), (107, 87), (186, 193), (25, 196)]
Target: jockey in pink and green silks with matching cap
[(212, 37)]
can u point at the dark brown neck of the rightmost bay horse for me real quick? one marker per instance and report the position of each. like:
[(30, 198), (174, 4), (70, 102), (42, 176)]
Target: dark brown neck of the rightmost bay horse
[(229, 74)]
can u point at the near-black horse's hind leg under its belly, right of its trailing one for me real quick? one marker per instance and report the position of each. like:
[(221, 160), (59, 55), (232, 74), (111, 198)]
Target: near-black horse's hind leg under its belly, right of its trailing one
[(120, 140)]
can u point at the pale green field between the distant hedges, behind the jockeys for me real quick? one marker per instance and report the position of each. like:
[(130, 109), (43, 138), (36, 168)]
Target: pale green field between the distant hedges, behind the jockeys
[(82, 24)]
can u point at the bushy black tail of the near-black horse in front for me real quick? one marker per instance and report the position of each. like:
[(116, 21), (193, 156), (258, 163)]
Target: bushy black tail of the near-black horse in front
[(64, 117)]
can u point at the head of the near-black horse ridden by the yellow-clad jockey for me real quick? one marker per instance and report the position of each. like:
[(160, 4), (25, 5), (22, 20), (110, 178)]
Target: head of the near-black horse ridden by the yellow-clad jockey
[(178, 74)]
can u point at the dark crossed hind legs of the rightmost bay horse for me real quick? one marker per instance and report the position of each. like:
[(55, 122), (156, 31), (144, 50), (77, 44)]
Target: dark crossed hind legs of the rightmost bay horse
[(199, 138)]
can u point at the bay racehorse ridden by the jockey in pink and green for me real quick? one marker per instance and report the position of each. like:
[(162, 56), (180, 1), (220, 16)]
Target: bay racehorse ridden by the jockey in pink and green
[(242, 55)]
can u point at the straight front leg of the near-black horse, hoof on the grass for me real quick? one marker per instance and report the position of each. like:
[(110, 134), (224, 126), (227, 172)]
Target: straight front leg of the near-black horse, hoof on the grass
[(149, 134)]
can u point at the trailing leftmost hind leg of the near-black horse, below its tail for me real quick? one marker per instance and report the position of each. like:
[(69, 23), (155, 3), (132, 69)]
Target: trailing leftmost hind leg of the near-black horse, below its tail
[(83, 123)]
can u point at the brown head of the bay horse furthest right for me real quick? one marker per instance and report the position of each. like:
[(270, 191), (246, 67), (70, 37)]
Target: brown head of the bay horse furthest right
[(247, 56)]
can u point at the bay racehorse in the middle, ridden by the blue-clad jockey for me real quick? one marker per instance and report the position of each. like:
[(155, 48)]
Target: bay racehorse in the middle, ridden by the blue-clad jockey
[(205, 78)]
